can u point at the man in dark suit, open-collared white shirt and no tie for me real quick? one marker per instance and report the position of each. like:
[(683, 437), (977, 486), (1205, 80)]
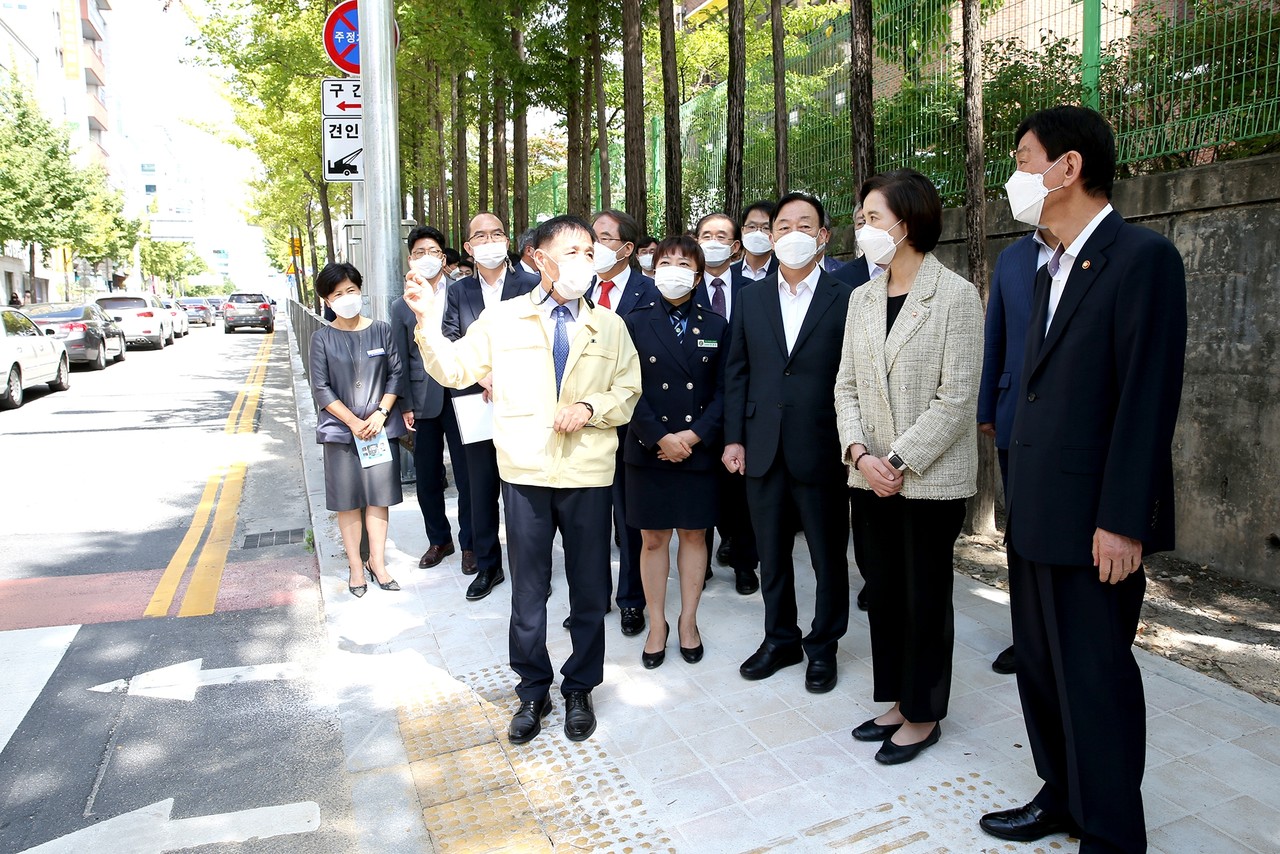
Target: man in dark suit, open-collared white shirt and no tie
[(780, 431)]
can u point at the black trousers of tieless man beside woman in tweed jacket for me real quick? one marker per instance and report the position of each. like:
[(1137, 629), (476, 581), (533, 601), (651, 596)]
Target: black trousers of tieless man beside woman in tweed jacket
[(776, 500)]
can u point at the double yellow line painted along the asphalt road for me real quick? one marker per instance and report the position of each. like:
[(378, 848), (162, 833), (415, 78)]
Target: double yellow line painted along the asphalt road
[(221, 500)]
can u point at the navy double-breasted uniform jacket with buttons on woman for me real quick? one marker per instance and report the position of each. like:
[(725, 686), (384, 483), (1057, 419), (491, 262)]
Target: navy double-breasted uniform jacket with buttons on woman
[(682, 382)]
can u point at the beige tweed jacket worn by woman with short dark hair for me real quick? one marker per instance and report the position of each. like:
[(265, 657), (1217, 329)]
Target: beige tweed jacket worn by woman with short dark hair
[(917, 392)]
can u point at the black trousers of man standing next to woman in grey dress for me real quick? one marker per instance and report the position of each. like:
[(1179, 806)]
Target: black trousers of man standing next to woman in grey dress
[(429, 439)]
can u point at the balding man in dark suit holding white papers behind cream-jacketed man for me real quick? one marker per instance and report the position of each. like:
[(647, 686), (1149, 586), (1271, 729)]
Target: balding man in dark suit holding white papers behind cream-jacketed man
[(468, 299)]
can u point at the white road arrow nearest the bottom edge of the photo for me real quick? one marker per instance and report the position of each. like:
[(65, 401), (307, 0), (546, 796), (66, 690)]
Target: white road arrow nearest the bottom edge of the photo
[(150, 830)]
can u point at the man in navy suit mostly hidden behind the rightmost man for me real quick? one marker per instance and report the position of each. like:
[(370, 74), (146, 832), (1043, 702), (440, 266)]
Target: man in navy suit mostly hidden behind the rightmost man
[(1009, 313)]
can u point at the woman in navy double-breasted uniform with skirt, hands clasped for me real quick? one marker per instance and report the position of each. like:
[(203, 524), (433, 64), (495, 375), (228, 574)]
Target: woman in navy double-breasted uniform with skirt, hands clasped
[(674, 442)]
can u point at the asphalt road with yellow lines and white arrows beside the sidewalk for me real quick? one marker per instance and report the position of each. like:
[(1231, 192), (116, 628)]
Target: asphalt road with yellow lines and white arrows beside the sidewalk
[(156, 515)]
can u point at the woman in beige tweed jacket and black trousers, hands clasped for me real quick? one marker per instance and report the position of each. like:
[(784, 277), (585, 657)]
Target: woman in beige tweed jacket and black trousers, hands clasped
[(907, 400)]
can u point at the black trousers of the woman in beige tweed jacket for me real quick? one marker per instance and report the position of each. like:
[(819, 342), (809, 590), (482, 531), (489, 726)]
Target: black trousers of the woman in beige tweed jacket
[(909, 545)]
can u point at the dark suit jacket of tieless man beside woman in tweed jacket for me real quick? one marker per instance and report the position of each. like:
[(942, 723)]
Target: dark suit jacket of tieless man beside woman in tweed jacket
[(774, 398)]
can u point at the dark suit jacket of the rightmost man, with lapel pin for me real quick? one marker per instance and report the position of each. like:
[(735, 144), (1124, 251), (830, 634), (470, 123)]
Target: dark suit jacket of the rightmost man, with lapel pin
[(1099, 401)]
